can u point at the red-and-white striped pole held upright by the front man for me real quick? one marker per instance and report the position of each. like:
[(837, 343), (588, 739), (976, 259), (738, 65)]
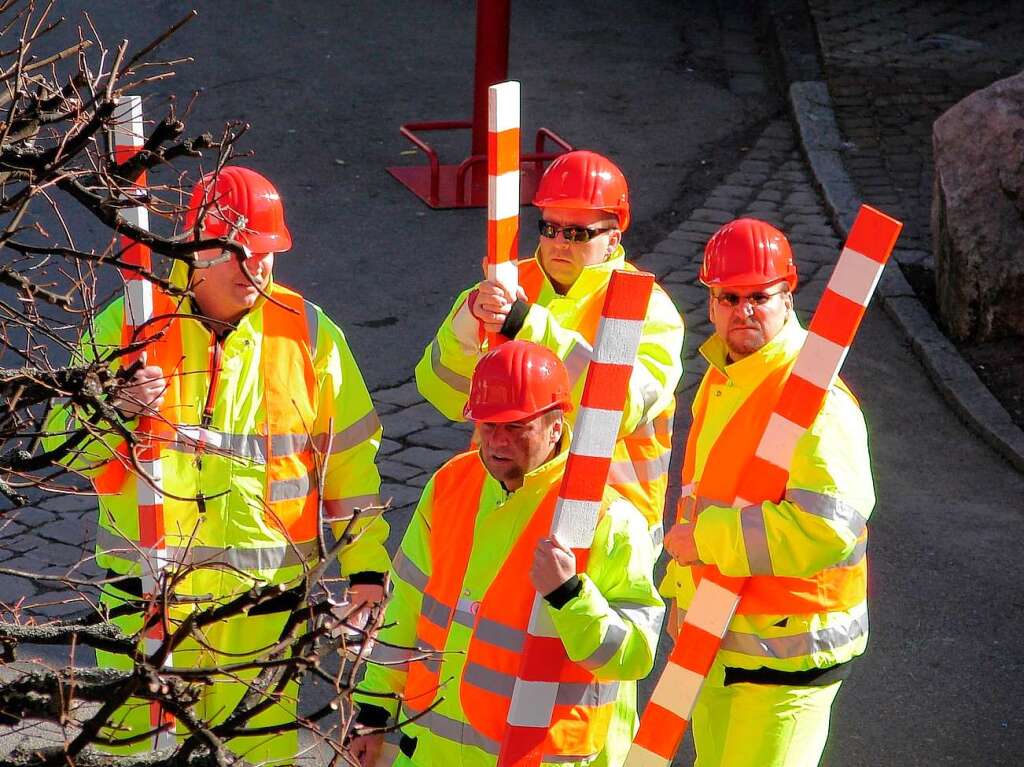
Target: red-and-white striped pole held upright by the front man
[(578, 506)]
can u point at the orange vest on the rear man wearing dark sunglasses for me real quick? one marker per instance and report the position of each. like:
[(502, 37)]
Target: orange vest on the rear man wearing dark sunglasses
[(650, 447)]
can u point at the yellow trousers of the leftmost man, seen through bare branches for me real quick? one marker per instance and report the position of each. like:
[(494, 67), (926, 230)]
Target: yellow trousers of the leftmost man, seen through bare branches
[(244, 637)]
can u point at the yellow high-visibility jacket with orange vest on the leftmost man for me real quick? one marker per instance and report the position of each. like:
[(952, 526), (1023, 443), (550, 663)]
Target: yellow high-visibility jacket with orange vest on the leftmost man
[(240, 481)]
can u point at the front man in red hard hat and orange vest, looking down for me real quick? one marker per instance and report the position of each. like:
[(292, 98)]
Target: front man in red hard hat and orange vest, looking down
[(474, 559)]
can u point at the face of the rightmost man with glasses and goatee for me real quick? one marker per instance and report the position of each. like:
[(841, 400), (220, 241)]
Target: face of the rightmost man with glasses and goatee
[(748, 318)]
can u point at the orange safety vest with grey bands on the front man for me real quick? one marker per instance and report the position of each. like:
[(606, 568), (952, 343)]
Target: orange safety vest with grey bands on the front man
[(584, 705)]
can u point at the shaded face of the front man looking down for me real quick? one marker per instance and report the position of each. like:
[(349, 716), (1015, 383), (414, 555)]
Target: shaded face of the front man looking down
[(510, 451)]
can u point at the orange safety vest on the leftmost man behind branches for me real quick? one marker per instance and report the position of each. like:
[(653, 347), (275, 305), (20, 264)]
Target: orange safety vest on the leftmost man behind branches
[(289, 402)]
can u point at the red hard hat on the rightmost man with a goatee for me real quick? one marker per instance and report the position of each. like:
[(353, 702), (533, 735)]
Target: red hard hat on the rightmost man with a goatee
[(748, 252)]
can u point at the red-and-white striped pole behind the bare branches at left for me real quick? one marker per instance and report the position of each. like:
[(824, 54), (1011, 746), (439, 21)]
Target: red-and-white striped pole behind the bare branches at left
[(127, 139)]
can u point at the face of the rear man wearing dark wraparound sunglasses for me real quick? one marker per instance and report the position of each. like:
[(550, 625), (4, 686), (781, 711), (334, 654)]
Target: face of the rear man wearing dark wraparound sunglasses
[(564, 262)]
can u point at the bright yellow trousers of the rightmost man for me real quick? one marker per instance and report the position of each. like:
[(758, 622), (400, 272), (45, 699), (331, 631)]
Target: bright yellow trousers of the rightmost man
[(760, 726)]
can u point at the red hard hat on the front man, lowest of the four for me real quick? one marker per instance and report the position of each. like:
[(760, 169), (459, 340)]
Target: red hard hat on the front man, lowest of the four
[(518, 380)]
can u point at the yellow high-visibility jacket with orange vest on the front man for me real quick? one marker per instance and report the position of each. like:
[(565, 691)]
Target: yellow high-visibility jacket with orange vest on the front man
[(461, 588)]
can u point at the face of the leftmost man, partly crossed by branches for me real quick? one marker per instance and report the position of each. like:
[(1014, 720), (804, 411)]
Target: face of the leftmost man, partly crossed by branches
[(223, 291)]
